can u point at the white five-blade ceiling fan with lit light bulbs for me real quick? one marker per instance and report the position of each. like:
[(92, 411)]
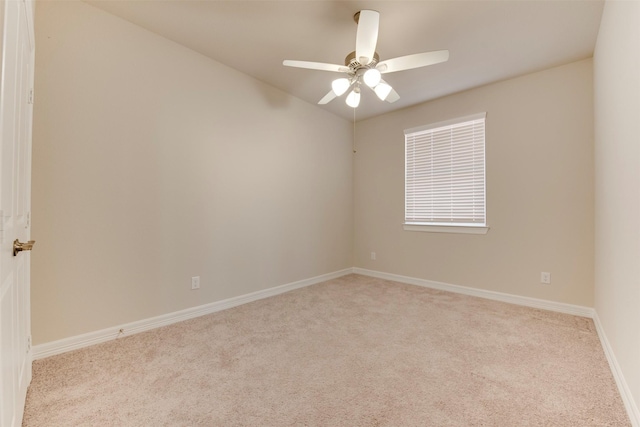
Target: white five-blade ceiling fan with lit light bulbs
[(363, 66)]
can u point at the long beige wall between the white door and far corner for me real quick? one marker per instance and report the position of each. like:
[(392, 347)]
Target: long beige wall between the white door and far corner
[(152, 164)]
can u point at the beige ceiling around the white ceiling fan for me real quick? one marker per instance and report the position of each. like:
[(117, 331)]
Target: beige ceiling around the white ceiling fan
[(488, 40)]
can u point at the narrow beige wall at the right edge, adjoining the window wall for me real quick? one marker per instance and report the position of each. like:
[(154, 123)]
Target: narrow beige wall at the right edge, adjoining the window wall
[(617, 185)]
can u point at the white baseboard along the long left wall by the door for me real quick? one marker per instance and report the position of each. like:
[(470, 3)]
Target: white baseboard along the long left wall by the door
[(41, 351)]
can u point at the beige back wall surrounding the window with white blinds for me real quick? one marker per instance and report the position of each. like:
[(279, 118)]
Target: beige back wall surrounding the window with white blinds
[(539, 151)]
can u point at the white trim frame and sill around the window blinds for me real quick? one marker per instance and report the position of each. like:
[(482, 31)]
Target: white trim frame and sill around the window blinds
[(435, 227)]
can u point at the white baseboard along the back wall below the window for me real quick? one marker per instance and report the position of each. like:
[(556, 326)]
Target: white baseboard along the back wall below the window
[(576, 310)]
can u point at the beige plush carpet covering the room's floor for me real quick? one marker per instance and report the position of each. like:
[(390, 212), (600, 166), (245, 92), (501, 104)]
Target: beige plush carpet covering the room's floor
[(355, 351)]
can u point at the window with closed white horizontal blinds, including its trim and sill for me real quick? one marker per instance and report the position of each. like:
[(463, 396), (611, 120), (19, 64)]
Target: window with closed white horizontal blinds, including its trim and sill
[(445, 176)]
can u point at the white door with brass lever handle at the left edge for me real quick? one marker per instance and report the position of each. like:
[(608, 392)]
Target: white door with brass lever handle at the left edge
[(16, 96)]
